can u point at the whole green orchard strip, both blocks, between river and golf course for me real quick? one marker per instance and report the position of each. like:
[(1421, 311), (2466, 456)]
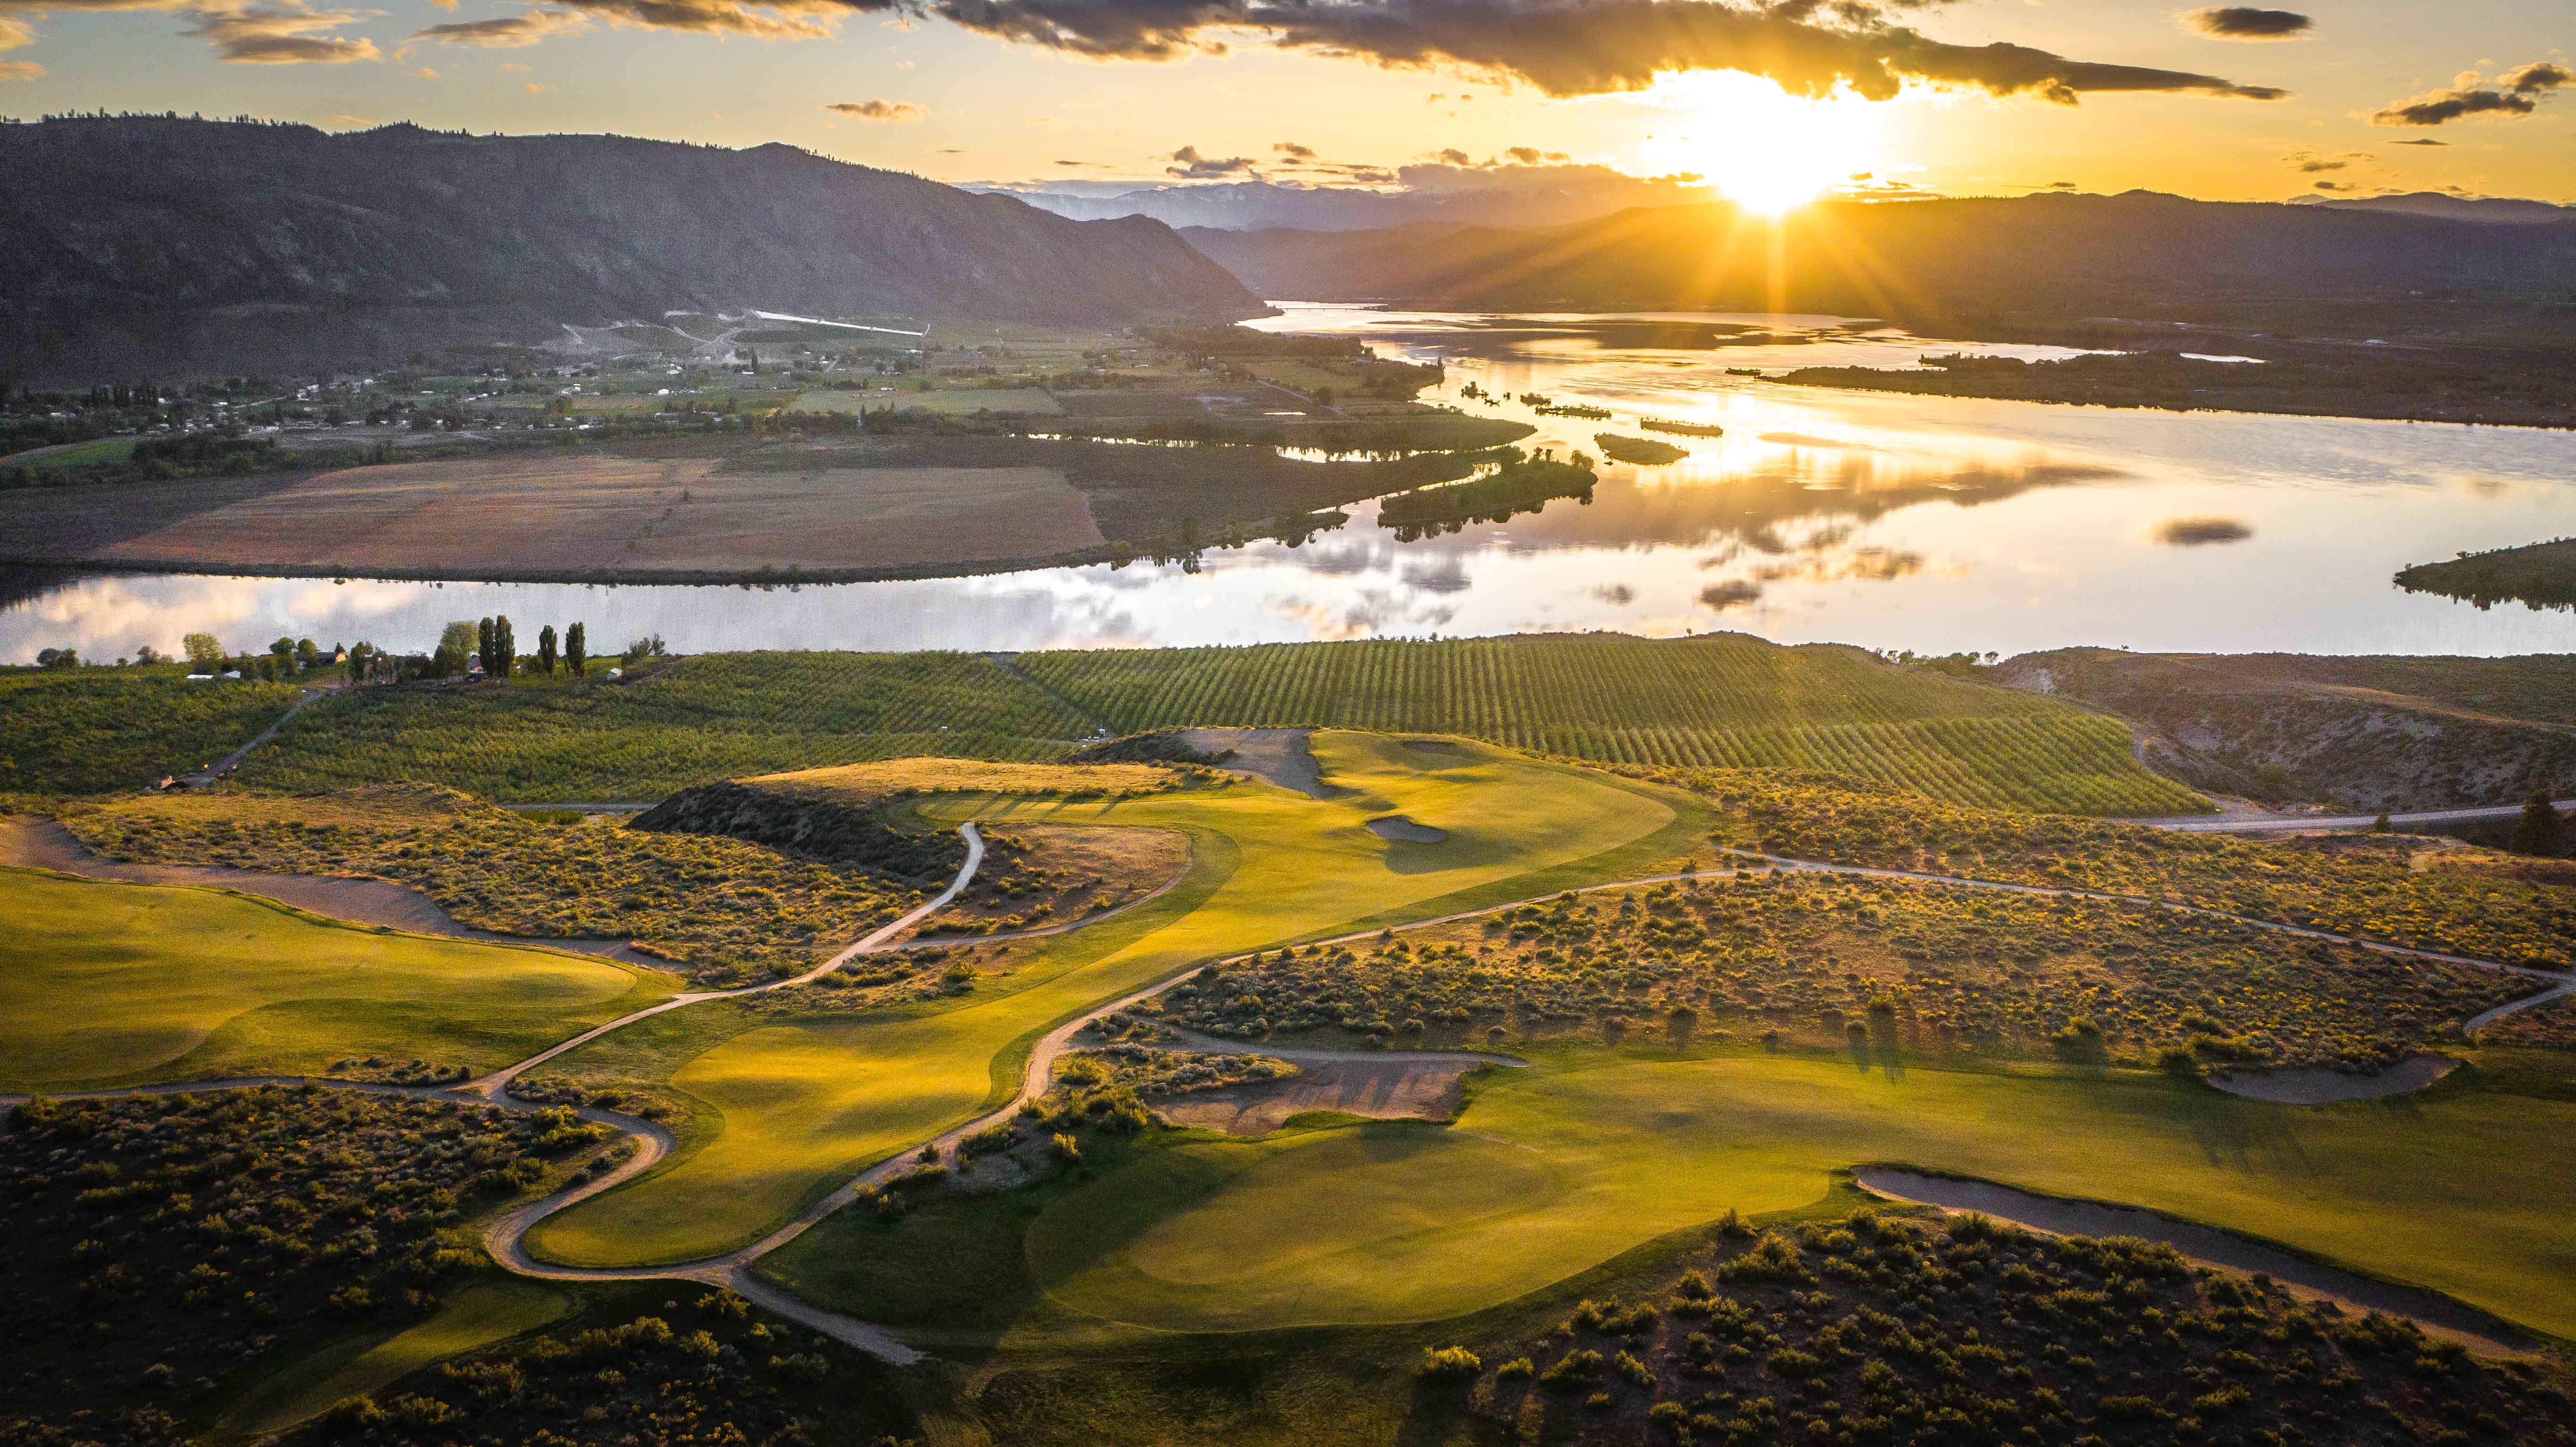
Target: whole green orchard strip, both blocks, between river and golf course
[(1722, 702)]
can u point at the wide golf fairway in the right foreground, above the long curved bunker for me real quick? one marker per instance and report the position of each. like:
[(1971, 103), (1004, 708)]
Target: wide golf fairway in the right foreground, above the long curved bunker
[(2461, 1193)]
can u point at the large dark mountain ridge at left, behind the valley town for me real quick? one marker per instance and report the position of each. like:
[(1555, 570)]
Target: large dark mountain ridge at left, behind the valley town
[(153, 246)]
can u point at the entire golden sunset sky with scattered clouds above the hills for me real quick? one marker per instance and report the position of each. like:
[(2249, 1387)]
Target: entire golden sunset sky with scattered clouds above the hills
[(1766, 99)]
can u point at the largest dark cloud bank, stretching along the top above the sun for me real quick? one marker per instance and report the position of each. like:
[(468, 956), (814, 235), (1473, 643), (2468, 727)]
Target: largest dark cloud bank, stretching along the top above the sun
[(1588, 48)]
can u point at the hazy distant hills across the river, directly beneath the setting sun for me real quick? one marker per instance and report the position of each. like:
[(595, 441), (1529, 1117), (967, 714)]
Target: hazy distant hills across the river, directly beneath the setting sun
[(1959, 264)]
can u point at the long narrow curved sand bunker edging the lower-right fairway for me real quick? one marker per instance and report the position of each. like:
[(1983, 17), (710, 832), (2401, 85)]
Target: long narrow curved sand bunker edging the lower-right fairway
[(2211, 1245)]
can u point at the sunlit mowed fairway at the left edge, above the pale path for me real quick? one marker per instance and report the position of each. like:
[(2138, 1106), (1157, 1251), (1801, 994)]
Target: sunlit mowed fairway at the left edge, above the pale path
[(122, 985)]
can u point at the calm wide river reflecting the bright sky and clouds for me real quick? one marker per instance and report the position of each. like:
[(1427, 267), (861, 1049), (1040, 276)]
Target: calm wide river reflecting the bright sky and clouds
[(1820, 516)]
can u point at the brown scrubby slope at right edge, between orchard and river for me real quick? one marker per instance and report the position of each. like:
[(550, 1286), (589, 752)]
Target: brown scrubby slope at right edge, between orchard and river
[(2366, 733)]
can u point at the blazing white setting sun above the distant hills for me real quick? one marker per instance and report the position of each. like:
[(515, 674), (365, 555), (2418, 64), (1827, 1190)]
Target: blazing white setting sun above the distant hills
[(1761, 148)]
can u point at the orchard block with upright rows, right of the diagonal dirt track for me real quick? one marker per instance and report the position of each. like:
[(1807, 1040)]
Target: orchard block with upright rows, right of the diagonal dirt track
[(1719, 702)]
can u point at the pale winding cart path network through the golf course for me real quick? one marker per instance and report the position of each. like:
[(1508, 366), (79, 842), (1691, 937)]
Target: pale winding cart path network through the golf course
[(506, 1237)]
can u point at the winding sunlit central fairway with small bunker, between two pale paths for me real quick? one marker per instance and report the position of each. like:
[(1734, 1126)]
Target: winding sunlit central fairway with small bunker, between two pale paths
[(792, 1111)]
